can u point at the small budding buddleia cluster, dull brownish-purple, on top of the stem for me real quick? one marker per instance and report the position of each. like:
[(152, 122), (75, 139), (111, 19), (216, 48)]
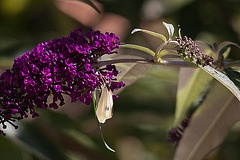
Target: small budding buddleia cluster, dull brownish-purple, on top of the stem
[(189, 50)]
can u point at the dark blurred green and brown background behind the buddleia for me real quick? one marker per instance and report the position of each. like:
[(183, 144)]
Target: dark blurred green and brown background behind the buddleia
[(144, 112)]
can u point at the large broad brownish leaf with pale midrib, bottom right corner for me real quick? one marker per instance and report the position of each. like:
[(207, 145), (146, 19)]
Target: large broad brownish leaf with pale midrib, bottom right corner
[(209, 124)]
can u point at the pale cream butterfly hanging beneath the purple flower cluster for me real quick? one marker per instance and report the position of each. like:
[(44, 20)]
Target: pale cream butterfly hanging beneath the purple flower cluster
[(105, 105)]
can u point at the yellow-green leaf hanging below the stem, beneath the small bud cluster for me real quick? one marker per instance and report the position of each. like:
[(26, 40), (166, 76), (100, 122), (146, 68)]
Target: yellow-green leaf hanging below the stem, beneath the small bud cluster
[(191, 84)]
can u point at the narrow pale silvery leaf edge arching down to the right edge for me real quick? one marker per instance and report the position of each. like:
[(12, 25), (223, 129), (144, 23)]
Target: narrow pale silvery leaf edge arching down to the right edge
[(222, 78)]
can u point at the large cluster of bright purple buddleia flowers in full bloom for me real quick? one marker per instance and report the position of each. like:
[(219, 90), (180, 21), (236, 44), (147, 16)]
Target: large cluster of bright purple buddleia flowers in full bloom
[(60, 67)]
